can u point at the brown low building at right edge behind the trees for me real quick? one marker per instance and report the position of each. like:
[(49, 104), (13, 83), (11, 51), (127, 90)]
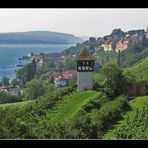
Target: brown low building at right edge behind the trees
[(138, 89)]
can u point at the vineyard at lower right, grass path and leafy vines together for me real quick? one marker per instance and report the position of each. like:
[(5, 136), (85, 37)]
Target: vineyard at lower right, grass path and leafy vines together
[(133, 124)]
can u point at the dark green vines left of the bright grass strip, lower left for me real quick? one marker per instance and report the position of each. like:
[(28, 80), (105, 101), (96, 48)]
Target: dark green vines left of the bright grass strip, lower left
[(22, 120)]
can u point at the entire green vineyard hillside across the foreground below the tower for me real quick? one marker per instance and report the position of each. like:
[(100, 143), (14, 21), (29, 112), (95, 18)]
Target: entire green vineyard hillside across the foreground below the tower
[(67, 114)]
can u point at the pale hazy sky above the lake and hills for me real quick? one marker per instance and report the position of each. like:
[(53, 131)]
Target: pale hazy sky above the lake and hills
[(80, 22)]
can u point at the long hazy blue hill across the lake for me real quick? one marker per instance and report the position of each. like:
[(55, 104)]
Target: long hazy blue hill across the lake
[(38, 37)]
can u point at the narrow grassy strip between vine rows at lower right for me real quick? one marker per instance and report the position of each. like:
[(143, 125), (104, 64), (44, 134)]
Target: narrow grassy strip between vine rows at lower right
[(135, 104)]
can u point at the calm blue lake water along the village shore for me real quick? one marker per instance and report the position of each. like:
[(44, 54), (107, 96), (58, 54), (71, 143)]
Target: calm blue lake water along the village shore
[(9, 55)]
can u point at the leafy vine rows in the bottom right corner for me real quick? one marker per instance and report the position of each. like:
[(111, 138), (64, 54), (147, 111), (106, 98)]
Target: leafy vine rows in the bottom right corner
[(135, 127)]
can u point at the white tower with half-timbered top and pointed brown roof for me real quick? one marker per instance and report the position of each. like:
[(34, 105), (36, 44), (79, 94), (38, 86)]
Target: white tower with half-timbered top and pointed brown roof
[(85, 68)]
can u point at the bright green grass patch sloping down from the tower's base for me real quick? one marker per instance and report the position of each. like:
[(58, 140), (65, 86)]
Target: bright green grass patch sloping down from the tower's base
[(69, 106)]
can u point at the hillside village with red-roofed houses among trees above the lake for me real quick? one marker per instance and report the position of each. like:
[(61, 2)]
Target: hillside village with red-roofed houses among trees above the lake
[(113, 43)]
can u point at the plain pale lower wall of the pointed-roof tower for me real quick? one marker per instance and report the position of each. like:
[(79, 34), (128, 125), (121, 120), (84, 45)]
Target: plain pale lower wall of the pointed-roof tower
[(84, 80)]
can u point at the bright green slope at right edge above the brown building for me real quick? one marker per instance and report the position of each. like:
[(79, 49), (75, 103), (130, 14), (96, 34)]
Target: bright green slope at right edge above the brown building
[(140, 70)]
